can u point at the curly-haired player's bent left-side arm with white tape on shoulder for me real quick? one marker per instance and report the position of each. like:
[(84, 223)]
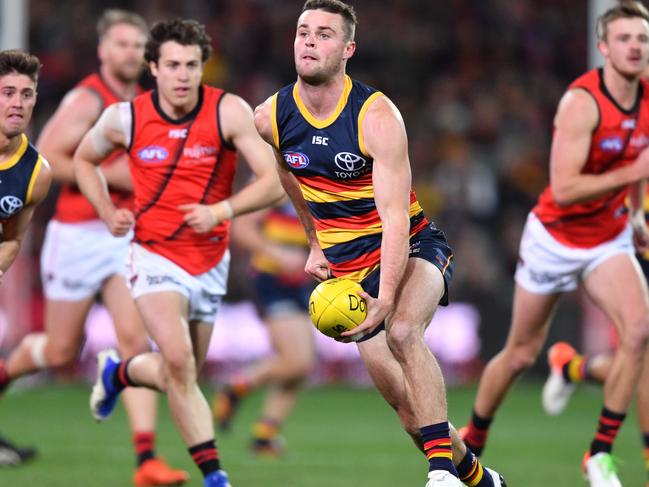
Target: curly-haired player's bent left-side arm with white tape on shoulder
[(104, 137)]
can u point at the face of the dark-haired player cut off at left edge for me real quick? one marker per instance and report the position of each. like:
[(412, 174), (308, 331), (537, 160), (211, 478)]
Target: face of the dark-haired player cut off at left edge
[(17, 100)]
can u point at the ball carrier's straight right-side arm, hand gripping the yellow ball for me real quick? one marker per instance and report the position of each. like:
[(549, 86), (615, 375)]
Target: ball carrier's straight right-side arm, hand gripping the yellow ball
[(386, 141)]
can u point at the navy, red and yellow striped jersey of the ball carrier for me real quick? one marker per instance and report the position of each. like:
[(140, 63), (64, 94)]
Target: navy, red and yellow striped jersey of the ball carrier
[(334, 170)]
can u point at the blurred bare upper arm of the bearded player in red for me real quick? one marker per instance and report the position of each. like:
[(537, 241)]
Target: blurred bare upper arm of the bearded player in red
[(60, 137)]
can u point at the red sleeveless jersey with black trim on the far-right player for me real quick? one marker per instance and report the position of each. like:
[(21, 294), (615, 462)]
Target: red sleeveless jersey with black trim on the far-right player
[(617, 140)]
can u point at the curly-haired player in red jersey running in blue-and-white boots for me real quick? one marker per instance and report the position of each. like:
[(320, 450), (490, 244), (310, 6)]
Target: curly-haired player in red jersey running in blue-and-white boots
[(183, 139)]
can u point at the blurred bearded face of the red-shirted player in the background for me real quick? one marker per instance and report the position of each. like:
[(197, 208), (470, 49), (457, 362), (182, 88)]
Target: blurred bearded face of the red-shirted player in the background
[(122, 51)]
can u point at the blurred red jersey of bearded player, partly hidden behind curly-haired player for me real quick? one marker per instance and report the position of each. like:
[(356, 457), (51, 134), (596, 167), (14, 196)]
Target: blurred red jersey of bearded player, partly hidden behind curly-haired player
[(72, 206)]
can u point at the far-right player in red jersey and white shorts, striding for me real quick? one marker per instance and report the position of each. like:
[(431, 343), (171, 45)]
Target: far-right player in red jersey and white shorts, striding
[(579, 231)]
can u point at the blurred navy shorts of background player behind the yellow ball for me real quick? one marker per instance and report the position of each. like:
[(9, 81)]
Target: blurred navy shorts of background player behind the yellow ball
[(274, 296)]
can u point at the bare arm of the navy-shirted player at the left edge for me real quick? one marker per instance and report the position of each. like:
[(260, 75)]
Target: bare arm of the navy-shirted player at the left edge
[(14, 229)]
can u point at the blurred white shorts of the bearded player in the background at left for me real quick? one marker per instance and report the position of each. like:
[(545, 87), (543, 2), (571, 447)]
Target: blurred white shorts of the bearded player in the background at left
[(78, 257)]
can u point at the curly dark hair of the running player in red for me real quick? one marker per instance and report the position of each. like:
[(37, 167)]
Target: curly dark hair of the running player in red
[(185, 32)]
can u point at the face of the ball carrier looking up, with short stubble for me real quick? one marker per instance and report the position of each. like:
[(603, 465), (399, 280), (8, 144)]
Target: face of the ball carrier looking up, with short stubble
[(320, 47)]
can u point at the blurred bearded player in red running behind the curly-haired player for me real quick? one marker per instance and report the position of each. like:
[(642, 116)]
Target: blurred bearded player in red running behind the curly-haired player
[(80, 258)]
